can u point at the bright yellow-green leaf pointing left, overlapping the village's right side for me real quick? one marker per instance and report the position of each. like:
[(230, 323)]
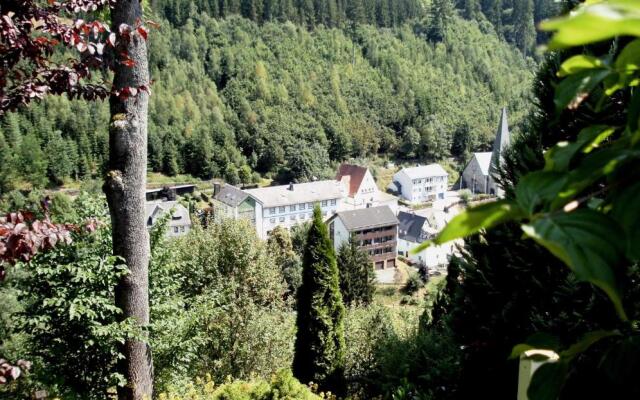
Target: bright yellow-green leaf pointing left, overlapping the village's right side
[(474, 219)]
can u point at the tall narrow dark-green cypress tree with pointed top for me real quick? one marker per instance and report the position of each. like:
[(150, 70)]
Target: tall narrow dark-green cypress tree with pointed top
[(319, 348)]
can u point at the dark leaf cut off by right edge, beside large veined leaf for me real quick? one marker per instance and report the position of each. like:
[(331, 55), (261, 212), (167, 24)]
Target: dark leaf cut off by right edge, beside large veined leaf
[(627, 213)]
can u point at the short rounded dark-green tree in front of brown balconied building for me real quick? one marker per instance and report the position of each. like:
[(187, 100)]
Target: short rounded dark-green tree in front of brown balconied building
[(357, 278)]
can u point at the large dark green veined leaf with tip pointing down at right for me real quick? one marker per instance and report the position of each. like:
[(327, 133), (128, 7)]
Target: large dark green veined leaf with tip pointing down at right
[(589, 242)]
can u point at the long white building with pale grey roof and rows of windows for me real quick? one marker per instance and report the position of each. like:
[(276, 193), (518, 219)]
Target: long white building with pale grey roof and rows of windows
[(288, 205)]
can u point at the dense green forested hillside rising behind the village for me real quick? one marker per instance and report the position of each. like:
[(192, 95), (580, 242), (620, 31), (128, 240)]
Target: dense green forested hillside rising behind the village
[(239, 99)]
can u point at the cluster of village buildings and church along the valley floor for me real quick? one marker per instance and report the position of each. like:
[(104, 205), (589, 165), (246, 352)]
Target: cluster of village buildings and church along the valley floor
[(387, 223)]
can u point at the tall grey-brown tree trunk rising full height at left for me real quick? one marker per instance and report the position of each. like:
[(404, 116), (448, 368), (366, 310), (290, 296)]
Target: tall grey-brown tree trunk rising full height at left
[(125, 189)]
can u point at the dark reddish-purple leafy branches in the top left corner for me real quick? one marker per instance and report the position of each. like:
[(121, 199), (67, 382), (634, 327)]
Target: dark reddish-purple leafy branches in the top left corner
[(31, 33)]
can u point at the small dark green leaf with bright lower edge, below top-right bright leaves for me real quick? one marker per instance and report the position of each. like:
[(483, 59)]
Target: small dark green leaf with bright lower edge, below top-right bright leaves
[(573, 90)]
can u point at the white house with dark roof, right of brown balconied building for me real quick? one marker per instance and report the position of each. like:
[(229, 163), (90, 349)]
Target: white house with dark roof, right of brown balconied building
[(415, 229)]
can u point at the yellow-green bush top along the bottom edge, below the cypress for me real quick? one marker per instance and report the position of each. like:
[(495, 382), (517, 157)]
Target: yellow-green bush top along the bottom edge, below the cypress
[(281, 386)]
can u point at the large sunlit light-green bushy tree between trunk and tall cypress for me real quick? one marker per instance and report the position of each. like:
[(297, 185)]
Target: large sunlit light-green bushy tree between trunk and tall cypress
[(216, 296)]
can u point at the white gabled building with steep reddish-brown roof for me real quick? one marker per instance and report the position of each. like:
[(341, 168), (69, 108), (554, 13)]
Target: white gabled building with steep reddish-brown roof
[(361, 189)]
